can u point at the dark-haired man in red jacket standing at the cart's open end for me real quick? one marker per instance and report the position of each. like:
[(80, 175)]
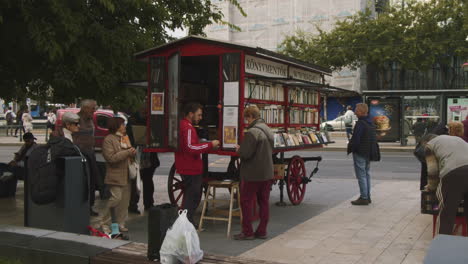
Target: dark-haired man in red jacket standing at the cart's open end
[(188, 159)]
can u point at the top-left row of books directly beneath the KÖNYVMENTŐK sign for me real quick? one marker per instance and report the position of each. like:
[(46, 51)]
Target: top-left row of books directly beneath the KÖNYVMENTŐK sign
[(264, 91)]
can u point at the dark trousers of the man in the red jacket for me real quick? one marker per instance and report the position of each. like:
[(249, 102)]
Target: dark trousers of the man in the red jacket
[(192, 194)]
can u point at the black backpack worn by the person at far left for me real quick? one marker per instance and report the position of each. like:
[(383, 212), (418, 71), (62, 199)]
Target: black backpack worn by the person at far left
[(44, 174)]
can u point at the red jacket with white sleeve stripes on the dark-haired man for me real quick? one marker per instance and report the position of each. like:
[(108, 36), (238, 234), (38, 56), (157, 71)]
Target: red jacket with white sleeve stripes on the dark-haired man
[(188, 158)]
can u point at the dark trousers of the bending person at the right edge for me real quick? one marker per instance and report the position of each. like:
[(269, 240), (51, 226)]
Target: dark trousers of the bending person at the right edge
[(451, 190)]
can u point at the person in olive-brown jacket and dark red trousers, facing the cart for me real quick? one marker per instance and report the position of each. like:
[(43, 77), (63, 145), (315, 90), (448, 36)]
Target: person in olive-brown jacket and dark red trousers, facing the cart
[(256, 171)]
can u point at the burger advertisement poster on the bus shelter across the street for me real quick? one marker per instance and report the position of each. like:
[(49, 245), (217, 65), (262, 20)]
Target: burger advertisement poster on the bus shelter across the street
[(385, 114)]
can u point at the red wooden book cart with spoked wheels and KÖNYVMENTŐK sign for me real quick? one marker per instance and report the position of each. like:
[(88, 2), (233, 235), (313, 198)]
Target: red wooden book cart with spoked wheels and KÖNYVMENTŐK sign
[(224, 78)]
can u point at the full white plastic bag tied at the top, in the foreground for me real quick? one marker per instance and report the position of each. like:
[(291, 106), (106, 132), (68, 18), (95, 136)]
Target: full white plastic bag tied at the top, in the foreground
[(181, 242)]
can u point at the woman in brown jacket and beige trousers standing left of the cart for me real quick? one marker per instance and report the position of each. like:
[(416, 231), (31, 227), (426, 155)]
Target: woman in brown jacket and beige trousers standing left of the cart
[(117, 156)]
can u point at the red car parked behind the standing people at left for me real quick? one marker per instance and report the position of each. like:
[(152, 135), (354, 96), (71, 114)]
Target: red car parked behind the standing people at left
[(100, 118)]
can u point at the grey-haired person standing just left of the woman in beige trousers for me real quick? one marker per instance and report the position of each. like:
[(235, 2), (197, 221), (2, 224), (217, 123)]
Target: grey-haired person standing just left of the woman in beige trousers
[(84, 139)]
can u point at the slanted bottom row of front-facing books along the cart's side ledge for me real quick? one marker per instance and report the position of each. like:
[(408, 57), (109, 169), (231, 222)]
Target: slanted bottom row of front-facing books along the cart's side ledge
[(300, 139)]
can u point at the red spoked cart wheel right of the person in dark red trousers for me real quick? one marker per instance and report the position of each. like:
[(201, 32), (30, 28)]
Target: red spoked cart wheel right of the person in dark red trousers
[(295, 184)]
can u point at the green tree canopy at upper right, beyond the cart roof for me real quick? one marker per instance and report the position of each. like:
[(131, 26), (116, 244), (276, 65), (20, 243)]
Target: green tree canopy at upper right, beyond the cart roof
[(416, 36)]
